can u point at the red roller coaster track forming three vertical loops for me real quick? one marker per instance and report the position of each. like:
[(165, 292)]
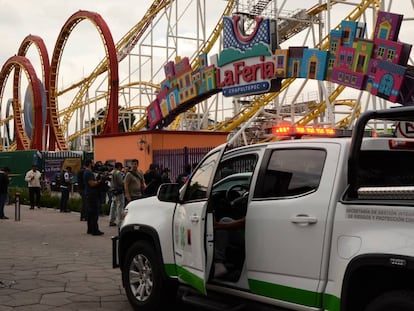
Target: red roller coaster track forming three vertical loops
[(50, 78)]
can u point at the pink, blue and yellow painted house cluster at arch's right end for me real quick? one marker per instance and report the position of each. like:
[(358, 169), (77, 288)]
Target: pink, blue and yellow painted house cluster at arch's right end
[(378, 65)]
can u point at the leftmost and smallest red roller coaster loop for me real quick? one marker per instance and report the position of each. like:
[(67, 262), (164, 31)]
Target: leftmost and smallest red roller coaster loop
[(17, 63)]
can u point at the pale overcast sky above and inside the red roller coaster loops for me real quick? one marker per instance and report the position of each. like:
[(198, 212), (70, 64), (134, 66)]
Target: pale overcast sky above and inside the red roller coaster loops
[(45, 18)]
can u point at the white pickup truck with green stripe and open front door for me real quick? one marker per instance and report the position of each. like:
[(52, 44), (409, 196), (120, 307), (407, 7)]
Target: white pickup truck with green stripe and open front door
[(323, 224)]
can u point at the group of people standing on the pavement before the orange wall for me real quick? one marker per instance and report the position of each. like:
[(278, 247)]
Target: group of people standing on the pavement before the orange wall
[(125, 185)]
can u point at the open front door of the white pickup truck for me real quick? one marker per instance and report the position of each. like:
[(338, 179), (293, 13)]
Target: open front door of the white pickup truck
[(193, 227)]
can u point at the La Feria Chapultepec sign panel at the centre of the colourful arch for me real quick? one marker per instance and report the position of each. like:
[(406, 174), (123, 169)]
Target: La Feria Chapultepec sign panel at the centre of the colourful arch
[(246, 65)]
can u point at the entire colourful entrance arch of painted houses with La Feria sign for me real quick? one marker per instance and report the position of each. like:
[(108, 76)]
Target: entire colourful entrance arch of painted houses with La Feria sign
[(252, 64)]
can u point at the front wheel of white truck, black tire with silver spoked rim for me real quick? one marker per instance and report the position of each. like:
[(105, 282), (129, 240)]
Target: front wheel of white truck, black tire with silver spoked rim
[(149, 289)]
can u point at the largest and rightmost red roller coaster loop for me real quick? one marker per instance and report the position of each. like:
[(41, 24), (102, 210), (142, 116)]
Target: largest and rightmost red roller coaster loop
[(111, 117)]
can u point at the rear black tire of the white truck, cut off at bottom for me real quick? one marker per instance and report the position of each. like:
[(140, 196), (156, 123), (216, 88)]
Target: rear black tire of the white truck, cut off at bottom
[(402, 300)]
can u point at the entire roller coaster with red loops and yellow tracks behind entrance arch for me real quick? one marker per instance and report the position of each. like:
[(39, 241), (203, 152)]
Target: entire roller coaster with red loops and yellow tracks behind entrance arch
[(128, 78)]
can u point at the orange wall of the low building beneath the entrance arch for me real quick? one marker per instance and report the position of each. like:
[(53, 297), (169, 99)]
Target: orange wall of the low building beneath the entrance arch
[(125, 146)]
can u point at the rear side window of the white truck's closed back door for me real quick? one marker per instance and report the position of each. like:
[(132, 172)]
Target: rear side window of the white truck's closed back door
[(291, 172)]
